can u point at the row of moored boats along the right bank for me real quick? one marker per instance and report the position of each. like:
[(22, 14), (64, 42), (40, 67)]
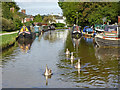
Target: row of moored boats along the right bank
[(105, 35)]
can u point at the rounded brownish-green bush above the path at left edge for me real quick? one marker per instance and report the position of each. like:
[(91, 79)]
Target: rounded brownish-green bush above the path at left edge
[(7, 25)]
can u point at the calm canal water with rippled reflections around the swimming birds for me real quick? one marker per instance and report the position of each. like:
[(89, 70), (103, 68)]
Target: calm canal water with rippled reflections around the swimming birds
[(24, 64)]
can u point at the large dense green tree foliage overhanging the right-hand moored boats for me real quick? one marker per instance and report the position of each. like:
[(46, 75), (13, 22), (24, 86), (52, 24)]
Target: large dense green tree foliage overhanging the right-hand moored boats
[(89, 12)]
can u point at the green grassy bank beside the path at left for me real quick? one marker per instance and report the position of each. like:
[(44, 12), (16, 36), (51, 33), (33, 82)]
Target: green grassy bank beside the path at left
[(7, 40)]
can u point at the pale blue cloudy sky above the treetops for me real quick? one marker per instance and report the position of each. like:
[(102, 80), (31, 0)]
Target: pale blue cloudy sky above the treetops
[(42, 7)]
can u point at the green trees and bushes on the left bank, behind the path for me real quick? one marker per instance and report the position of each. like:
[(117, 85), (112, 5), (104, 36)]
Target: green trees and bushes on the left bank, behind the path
[(11, 20)]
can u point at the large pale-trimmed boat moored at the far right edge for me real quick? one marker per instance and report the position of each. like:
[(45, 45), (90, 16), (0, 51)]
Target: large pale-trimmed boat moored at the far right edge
[(109, 38)]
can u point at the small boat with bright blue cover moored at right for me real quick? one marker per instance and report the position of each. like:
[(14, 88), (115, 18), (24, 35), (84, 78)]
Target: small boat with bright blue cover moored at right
[(88, 31)]
